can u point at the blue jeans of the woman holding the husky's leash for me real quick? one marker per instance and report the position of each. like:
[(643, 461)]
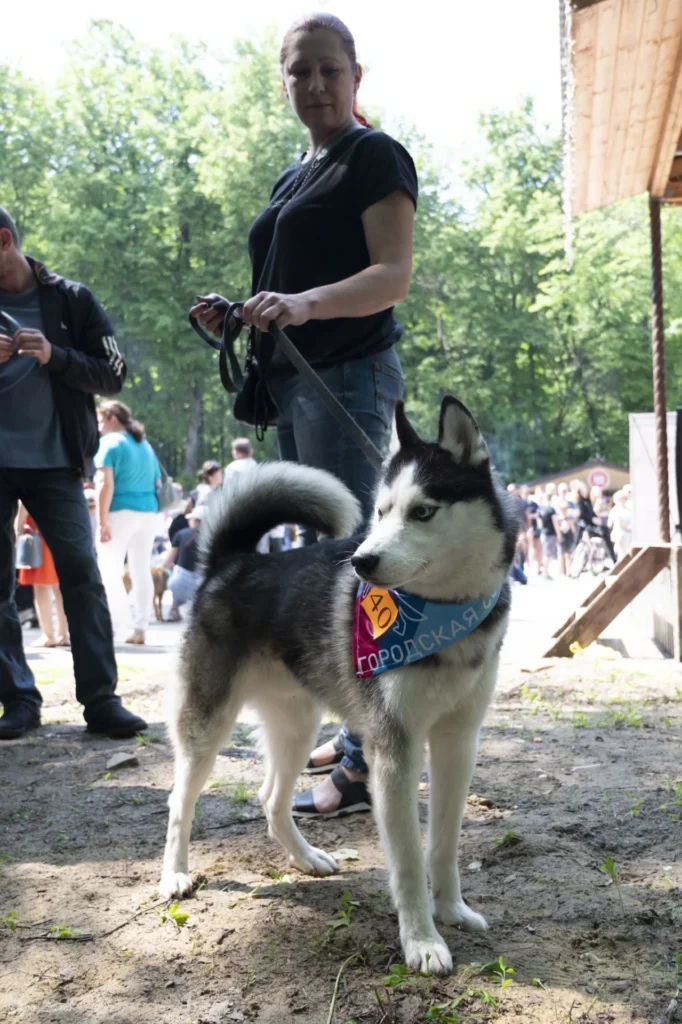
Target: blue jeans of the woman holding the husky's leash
[(309, 434)]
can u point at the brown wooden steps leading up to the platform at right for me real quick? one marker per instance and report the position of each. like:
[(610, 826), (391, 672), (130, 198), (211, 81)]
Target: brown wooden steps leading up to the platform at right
[(614, 593)]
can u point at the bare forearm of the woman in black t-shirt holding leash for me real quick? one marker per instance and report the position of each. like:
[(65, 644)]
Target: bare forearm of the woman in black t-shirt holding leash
[(371, 291)]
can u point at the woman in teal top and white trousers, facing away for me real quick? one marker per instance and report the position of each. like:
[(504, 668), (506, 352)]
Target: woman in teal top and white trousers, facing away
[(129, 476)]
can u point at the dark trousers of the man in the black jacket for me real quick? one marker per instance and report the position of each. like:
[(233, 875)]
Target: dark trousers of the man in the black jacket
[(55, 499)]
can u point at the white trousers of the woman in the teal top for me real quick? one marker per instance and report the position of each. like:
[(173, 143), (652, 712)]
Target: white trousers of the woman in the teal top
[(133, 535)]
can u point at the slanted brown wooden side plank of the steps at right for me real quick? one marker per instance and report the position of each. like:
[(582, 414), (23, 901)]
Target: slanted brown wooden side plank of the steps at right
[(611, 603)]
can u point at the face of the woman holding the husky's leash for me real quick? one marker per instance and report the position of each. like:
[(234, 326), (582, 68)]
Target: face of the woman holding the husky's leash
[(320, 81)]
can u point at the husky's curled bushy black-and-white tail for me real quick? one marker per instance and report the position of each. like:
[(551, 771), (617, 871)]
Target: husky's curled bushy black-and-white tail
[(250, 504)]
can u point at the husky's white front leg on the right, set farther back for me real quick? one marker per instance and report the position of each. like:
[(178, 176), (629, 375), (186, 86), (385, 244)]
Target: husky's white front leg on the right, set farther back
[(453, 746)]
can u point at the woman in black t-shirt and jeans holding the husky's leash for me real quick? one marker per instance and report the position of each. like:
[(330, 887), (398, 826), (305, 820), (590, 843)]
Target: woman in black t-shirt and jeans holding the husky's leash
[(331, 255)]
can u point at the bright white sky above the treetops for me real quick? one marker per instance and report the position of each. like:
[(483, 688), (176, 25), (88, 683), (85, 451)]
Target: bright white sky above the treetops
[(437, 64)]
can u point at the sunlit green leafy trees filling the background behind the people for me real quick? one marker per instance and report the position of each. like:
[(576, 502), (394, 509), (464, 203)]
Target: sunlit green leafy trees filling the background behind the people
[(143, 169)]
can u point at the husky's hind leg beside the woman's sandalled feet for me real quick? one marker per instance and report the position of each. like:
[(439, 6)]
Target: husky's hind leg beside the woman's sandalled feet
[(290, 729)]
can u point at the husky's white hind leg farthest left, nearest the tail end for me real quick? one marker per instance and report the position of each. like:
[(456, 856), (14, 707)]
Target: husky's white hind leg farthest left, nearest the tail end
[(196, 750)]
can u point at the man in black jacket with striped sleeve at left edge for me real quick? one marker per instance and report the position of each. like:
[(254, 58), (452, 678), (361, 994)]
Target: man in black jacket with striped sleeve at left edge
[(57, 352)]
